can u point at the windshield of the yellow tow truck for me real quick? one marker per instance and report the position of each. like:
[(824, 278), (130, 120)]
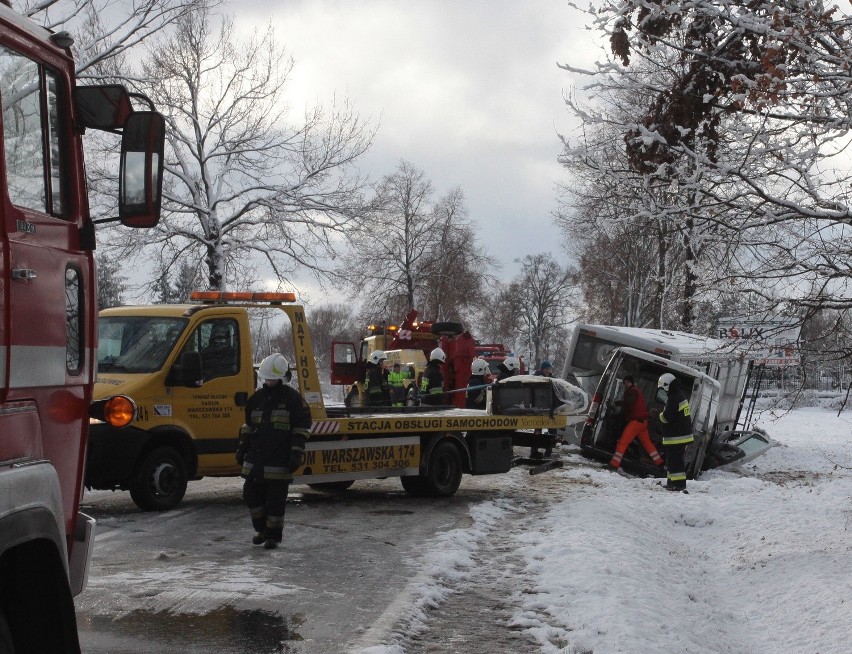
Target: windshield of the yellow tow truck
[(136, 344)]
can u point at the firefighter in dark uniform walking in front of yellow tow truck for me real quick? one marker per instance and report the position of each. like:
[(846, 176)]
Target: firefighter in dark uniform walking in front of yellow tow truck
[(272, 446)]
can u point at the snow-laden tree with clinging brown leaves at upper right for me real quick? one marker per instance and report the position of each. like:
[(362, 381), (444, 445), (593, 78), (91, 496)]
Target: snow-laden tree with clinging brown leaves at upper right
[(747, 120)]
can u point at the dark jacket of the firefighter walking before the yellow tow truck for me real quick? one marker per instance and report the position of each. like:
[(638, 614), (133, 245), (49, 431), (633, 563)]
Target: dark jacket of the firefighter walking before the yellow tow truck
[(272, 442)]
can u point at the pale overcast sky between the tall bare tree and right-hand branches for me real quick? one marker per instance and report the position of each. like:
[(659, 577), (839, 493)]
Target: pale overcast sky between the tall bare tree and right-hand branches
[(467, 91)]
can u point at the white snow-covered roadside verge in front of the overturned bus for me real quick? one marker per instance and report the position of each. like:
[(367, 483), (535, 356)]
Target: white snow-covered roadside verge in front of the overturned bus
[(755, 559)]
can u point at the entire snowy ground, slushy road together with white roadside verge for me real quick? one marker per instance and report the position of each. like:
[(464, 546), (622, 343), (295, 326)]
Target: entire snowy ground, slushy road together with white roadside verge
[(755, 560)]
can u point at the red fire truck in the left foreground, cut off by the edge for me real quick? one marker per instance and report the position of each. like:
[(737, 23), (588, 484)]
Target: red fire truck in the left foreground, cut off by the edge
[(48, 331)]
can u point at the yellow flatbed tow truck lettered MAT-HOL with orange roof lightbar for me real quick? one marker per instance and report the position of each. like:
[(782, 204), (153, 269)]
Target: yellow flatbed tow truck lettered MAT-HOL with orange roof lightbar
[(189, 367)]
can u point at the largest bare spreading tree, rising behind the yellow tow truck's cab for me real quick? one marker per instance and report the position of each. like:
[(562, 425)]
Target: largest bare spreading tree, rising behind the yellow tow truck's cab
[(241, 186)]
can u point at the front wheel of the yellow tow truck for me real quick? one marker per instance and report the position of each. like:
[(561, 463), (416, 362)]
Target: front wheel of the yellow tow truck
[(160, 480)]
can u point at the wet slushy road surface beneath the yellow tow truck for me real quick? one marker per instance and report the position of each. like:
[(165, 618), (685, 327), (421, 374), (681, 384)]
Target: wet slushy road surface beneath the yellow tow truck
[(353, 565)]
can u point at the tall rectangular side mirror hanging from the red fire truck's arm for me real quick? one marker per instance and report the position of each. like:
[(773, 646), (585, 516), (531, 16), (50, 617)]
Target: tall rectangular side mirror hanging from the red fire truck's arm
[(141, 176)]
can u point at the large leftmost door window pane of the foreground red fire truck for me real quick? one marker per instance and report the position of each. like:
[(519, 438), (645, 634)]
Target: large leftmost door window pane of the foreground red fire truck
[(20, 90)]
